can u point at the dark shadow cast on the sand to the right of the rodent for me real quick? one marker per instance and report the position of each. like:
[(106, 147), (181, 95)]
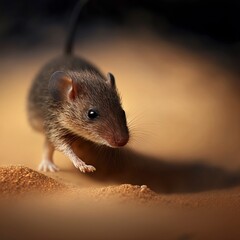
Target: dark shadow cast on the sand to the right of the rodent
[(128, 166)]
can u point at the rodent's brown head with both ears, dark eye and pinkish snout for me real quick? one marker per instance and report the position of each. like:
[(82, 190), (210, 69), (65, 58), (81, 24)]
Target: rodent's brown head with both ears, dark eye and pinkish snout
[(92, 106)]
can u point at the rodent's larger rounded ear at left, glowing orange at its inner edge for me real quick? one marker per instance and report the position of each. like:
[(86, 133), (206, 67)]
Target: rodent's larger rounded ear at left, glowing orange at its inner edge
[(62, 87)]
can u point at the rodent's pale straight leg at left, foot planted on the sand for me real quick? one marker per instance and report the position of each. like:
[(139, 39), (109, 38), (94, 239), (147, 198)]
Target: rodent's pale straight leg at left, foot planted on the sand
[(47, 164)]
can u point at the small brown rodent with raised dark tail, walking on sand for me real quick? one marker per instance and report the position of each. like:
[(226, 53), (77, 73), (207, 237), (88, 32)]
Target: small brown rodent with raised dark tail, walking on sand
[(71, 99)]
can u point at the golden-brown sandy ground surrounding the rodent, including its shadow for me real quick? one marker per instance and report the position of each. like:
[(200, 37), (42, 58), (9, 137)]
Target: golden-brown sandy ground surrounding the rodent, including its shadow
[(183, 110)]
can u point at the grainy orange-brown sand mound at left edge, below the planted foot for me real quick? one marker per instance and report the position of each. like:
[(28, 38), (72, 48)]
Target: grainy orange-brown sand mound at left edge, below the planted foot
[(19, 179)]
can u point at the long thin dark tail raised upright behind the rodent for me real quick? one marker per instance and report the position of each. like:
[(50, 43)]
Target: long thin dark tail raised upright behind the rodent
[(68, 48)]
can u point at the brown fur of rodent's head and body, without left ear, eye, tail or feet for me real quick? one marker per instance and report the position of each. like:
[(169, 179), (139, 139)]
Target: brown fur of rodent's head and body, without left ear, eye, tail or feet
[(63, 121)]
